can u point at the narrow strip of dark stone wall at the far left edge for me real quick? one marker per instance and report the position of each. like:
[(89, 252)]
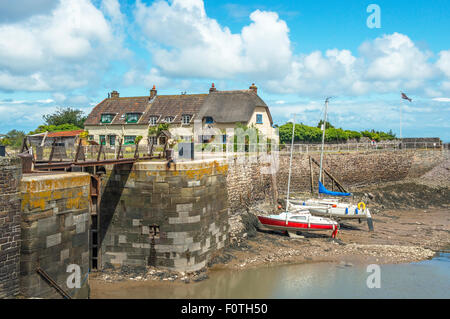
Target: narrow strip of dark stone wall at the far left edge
[(10, 175)]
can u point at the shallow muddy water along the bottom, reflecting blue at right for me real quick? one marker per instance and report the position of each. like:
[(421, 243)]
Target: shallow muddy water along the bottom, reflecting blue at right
[(426, 279)]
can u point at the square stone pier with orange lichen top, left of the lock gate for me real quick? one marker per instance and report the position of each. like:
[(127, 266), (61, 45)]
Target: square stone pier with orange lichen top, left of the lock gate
[(55, 232)]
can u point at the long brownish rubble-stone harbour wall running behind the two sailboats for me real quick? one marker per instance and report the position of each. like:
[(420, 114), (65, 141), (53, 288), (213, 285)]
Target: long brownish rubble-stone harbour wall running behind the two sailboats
[(248, 185)]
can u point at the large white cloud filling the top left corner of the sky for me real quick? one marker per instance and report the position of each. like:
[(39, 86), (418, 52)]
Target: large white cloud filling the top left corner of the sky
[(64, 49)]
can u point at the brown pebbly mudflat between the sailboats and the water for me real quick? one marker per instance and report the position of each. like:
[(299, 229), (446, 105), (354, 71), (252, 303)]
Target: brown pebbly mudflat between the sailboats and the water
[(400, 236)]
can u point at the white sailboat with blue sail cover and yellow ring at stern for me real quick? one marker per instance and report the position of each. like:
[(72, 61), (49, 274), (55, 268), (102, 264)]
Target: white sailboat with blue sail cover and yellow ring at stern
[(331, 206)]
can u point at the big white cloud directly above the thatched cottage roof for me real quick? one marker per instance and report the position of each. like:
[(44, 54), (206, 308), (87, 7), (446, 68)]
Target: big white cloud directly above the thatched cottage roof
[(185, 42)]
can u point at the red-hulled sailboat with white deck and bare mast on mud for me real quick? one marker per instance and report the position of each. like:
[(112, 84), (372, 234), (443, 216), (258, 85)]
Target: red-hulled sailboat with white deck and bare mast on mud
[(299, 219)]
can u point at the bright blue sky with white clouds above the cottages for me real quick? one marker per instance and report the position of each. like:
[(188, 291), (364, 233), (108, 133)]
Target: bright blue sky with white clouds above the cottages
[(59, 53)]
